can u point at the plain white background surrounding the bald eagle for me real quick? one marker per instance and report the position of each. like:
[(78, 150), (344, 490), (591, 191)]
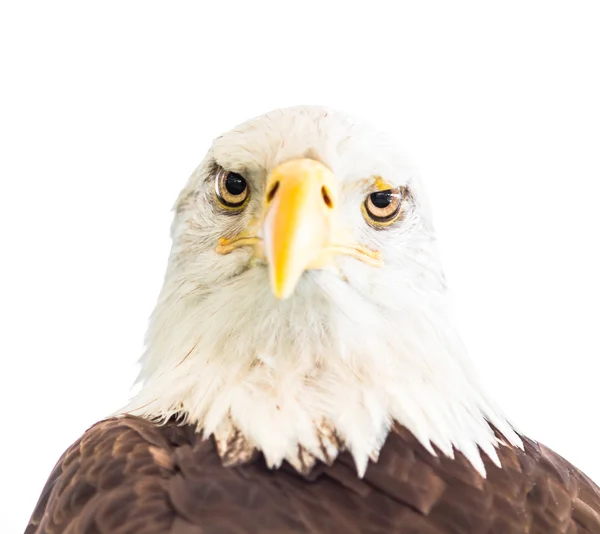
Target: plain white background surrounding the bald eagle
[(107, 107)]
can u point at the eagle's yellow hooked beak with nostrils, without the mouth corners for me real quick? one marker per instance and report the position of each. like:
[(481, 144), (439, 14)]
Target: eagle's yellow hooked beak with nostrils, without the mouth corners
[(298, 223)]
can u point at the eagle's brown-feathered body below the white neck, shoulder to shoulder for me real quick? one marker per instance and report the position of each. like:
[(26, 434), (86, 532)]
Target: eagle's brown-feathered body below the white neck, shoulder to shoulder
[(127, 475)]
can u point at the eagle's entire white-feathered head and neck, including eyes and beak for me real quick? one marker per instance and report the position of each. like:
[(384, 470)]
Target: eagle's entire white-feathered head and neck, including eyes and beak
[(303, 310)]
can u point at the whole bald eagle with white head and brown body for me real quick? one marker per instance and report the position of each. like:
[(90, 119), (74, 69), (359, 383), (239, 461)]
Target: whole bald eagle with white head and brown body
[(302, 373)]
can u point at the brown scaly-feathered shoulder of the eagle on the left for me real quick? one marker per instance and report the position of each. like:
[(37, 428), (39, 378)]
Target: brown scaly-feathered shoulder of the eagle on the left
[(112, 479)]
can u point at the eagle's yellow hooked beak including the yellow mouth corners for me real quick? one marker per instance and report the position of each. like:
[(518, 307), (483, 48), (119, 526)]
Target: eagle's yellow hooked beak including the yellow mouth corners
[(300, 227)]
